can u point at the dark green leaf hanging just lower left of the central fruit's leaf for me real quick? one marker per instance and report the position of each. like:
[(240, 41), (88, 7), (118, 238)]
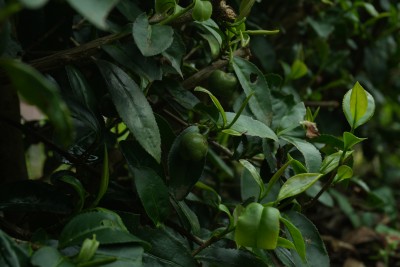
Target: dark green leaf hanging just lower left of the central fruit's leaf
[(153, 194)]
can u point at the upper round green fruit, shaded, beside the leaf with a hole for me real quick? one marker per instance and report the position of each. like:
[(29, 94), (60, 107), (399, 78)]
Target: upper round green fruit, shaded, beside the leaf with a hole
[(222, 83)]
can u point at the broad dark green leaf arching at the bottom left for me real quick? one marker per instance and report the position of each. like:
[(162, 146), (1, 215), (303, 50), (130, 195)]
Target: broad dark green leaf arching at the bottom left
[(105, 224)]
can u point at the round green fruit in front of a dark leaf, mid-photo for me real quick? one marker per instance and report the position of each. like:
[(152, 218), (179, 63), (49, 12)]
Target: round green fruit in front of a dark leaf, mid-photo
[(193, 146)]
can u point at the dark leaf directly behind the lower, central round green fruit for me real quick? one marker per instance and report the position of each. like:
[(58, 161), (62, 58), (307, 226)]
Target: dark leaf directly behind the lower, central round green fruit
[(183, 174)]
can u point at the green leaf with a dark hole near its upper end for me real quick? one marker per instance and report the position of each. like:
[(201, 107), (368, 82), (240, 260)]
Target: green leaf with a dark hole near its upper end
[(253, 81)]
